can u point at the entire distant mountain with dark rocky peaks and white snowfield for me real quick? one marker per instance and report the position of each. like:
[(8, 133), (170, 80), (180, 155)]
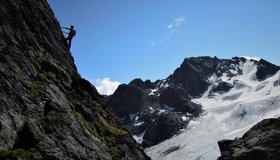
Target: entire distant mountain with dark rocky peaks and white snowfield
[(205, 100)]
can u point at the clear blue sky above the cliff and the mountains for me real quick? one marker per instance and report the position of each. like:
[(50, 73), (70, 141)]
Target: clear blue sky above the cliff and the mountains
[(148, 39)]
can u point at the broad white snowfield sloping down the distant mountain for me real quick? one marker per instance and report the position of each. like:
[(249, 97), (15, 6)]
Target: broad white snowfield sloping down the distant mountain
[(226, 115)]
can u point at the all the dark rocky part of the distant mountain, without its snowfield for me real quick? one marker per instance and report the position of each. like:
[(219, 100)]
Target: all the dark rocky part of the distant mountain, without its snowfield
[(155, 111)]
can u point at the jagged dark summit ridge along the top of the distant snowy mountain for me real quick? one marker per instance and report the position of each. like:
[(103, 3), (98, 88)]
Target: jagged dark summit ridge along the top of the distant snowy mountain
[(194, 72)]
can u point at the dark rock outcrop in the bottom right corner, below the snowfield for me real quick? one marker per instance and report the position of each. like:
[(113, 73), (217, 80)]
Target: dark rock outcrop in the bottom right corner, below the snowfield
[(261, 142)]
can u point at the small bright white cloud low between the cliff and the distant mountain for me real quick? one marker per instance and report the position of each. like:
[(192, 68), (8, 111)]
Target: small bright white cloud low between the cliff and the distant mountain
[(105, 86)]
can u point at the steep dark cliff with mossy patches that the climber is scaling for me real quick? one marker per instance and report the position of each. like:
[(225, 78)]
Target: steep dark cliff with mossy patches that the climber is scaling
[(47, 111)]
